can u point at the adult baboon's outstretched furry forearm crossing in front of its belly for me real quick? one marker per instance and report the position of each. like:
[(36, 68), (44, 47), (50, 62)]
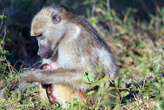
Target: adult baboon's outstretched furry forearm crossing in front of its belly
[(70, 77)]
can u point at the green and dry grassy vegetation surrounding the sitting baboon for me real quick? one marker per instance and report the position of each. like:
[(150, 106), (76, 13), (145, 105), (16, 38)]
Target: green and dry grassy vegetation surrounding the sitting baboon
[(136, 42)]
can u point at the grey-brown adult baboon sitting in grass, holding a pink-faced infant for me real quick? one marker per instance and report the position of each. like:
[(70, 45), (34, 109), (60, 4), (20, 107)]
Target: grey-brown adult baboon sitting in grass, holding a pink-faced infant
[(71, 43)]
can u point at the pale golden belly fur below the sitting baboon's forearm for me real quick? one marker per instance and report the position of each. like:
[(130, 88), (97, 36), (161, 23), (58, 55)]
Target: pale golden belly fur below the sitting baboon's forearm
[(65, 93)]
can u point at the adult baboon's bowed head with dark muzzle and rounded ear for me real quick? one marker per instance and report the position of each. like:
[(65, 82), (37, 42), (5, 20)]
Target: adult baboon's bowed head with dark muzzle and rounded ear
[(49, 28)]
